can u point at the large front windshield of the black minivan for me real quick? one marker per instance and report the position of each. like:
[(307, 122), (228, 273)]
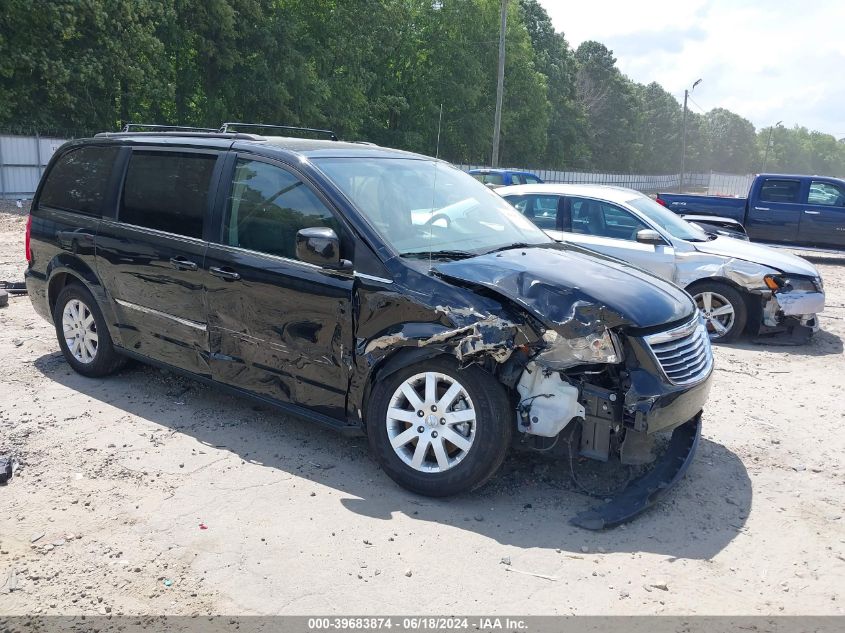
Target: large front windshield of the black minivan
[(424, 206)]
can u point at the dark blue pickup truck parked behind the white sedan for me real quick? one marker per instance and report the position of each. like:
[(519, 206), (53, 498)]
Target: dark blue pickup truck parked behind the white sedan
[(800, 210)]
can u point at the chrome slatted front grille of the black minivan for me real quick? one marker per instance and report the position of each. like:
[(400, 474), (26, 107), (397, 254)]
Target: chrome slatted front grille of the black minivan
[(683, 353)]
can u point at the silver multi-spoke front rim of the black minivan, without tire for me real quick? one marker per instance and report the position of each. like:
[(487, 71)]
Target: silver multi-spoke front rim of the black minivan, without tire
[(431, 422)]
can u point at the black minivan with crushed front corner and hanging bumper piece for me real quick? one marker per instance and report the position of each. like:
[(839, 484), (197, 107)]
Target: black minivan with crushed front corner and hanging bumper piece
[(369, 289)]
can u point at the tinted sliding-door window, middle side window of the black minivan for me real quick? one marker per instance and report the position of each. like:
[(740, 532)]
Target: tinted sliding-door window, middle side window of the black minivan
[(167, 191)]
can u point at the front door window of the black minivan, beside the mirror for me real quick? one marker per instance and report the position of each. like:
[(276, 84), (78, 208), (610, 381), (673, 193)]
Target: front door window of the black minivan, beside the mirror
[(266, 208)]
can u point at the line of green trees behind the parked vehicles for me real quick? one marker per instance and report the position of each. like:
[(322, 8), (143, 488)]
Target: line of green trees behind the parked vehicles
[(376, 70)]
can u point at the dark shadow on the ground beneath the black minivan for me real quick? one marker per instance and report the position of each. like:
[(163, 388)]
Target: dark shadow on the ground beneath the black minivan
[(528, 504)]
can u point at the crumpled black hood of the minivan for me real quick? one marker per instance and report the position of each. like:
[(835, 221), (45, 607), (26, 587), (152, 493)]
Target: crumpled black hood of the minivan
[(573, 290)]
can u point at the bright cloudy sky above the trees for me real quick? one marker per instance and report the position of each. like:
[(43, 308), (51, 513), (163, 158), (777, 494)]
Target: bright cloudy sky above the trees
[(766, 60)]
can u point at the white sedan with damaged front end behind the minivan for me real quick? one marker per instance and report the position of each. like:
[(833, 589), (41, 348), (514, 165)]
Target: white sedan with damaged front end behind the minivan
[(735, 283)]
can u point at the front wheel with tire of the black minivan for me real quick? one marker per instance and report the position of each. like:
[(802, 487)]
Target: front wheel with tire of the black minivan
[(439, 430)]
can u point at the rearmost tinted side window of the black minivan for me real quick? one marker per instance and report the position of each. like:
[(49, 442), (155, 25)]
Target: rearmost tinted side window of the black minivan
[(79, 179)]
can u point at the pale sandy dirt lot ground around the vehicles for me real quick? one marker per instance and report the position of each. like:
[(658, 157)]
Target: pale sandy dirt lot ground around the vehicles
[(147, 493)]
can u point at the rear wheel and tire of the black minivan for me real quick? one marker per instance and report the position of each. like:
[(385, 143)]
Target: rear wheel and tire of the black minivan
[(83, 334)]
